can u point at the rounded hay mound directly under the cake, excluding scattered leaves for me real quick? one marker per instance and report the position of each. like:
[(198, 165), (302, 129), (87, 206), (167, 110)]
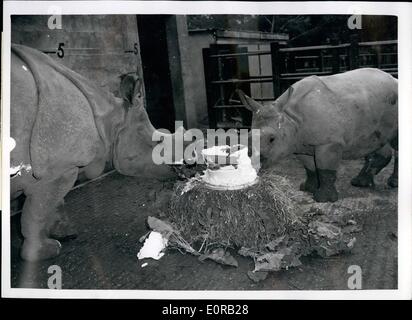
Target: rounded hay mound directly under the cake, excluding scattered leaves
[(249, 217)]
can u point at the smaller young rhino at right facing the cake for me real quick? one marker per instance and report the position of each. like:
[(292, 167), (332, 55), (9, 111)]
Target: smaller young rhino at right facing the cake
[(324, 119)]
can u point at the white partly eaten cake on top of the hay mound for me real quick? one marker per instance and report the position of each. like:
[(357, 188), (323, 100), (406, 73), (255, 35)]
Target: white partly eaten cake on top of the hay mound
[(228, 167)]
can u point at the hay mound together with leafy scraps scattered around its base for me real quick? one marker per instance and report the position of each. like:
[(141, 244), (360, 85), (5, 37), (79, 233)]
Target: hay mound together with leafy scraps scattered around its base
[(263, 221)]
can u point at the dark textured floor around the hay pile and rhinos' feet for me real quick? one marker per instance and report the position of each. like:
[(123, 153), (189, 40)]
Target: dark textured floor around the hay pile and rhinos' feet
[(110, 216)]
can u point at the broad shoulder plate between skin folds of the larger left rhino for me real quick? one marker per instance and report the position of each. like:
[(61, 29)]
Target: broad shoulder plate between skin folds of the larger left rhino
[(61, 135)]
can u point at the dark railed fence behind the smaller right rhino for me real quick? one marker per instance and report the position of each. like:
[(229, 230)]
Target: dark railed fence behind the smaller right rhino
[(226, 69)]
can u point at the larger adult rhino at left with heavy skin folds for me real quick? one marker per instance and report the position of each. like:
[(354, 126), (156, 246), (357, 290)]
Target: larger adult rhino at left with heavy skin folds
[(63, 124)]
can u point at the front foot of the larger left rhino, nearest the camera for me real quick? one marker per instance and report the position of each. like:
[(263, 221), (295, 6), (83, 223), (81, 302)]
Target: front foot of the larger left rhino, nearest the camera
[(40, 250)]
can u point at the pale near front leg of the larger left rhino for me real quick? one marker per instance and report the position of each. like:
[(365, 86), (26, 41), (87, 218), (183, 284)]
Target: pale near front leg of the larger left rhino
[(43, 199)]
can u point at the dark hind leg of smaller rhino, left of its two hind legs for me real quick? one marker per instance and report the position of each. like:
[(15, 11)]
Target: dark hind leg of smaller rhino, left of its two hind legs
[(374, 163)]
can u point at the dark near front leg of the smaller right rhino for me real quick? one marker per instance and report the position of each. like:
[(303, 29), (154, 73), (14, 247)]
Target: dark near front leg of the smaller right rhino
[(327, 159)]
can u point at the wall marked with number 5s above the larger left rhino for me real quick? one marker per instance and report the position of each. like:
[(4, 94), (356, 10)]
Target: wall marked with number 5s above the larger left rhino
[(94, 45)]
